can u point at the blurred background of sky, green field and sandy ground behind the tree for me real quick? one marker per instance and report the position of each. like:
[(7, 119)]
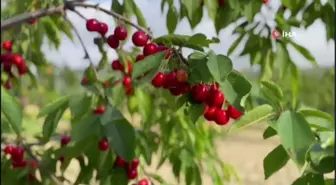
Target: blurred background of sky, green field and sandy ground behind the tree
[(246, 150)]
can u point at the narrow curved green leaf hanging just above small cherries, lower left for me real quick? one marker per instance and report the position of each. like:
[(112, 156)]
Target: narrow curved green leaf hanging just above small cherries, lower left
[(51, 122)]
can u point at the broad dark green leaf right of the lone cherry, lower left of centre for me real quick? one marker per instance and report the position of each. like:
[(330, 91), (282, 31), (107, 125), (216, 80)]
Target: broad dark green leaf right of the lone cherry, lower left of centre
[(121, 136)]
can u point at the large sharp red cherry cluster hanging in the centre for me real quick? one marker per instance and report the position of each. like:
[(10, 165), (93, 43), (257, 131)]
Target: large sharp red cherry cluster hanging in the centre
[(210, 95)]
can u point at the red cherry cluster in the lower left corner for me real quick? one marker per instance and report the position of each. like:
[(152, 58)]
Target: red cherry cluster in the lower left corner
[(17, 157)]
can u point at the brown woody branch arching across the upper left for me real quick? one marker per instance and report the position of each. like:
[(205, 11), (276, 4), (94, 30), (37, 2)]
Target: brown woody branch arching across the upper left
[(60, 9)]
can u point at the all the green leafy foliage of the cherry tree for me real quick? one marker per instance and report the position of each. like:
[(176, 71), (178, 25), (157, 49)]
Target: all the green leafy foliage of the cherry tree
[(170, 126)]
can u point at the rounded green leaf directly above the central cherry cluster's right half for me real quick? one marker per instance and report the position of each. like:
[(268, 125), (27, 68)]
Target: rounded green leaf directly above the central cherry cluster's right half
[(219, 66)]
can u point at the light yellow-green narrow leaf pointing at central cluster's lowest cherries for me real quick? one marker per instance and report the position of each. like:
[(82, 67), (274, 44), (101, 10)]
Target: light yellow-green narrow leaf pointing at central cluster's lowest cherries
[(254, 116)]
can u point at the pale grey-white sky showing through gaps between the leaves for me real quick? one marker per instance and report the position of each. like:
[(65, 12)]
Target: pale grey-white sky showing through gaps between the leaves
[(71, 53)]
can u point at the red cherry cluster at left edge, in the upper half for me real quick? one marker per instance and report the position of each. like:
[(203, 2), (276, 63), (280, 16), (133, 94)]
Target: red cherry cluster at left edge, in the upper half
[(8, 59)]
